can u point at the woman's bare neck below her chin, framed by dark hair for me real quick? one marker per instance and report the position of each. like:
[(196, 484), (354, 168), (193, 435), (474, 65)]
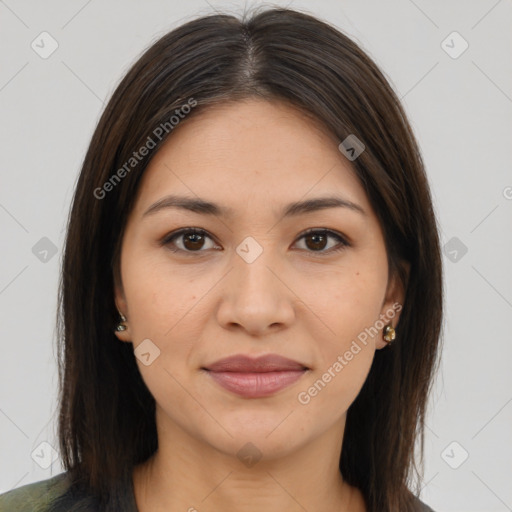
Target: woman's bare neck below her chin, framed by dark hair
[(187, 474)]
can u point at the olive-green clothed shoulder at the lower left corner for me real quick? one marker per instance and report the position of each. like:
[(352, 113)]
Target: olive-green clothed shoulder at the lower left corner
[(34, 497)]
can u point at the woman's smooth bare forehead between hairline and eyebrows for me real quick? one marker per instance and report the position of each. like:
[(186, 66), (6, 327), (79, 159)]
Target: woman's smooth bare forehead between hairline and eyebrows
[(247, 154)]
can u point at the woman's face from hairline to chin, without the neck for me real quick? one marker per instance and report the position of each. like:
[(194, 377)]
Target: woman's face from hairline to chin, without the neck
[(311, 286)]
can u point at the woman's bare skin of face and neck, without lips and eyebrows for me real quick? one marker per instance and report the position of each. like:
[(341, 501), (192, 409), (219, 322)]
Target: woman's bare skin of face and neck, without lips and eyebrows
[(298, 299)]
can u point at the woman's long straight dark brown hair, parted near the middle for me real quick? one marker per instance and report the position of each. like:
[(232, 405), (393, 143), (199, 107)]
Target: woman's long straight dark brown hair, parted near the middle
[(107, 415)]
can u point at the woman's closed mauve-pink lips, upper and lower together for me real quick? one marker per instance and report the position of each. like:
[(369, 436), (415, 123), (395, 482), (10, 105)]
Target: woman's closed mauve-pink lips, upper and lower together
[(255, 378)]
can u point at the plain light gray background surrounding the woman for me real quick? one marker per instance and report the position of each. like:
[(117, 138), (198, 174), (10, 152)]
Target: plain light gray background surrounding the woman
[(460, 110)]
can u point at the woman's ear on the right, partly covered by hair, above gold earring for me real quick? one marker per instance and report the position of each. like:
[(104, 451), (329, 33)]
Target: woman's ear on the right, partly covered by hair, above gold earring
[(393, 301)]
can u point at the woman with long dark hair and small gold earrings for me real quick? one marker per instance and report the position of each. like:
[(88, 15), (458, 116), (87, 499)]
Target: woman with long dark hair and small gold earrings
[(251, 290)]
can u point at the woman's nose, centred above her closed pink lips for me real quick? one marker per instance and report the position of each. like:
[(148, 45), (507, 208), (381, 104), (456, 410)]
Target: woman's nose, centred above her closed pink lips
[(256, 297)]
